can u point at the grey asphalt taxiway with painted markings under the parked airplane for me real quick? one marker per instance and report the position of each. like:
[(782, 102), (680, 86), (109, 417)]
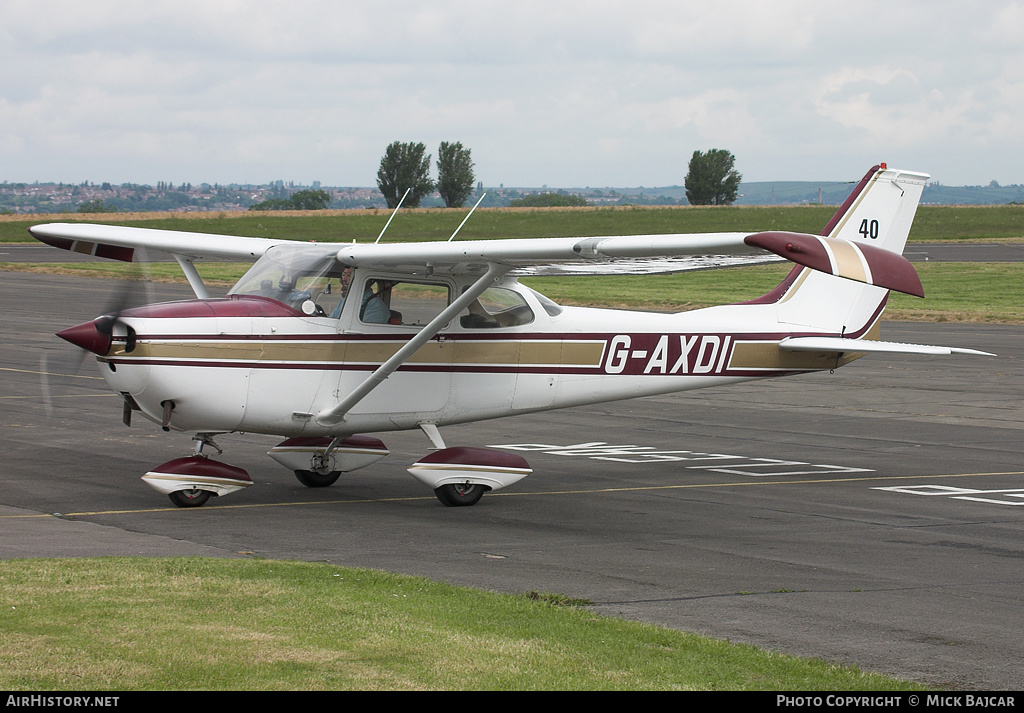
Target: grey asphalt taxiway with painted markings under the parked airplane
[(872, 517)]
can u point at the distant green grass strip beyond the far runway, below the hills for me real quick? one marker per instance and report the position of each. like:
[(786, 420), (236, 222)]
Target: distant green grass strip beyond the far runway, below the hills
[(931, 225)]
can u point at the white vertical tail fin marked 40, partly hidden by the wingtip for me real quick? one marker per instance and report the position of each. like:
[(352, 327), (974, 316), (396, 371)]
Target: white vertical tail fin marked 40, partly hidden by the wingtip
[(878, 215)]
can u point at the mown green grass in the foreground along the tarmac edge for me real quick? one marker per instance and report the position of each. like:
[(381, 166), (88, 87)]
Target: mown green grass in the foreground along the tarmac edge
[(175, 624)]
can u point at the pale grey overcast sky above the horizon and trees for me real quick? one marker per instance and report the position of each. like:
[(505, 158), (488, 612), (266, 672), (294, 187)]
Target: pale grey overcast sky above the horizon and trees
[(557, 93)]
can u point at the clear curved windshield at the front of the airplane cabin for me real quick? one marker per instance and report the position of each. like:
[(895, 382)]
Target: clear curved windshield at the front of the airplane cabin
[(296, 276)]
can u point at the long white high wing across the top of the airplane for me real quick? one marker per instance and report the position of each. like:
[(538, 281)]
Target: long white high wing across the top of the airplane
[(599, 256)]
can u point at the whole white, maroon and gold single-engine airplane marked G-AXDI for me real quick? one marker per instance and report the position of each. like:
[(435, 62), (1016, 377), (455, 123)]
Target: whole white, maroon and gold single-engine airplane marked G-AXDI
[(322, 344)]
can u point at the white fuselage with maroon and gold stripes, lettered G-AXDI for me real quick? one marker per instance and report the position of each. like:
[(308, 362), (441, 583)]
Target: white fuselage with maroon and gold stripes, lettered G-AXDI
[(252, 364)]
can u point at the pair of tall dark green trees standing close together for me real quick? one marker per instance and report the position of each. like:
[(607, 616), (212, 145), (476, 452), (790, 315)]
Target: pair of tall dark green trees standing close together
[(407, 167)]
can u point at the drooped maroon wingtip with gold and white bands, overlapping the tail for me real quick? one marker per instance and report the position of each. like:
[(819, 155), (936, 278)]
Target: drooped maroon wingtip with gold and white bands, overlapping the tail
[(854, 261)]
